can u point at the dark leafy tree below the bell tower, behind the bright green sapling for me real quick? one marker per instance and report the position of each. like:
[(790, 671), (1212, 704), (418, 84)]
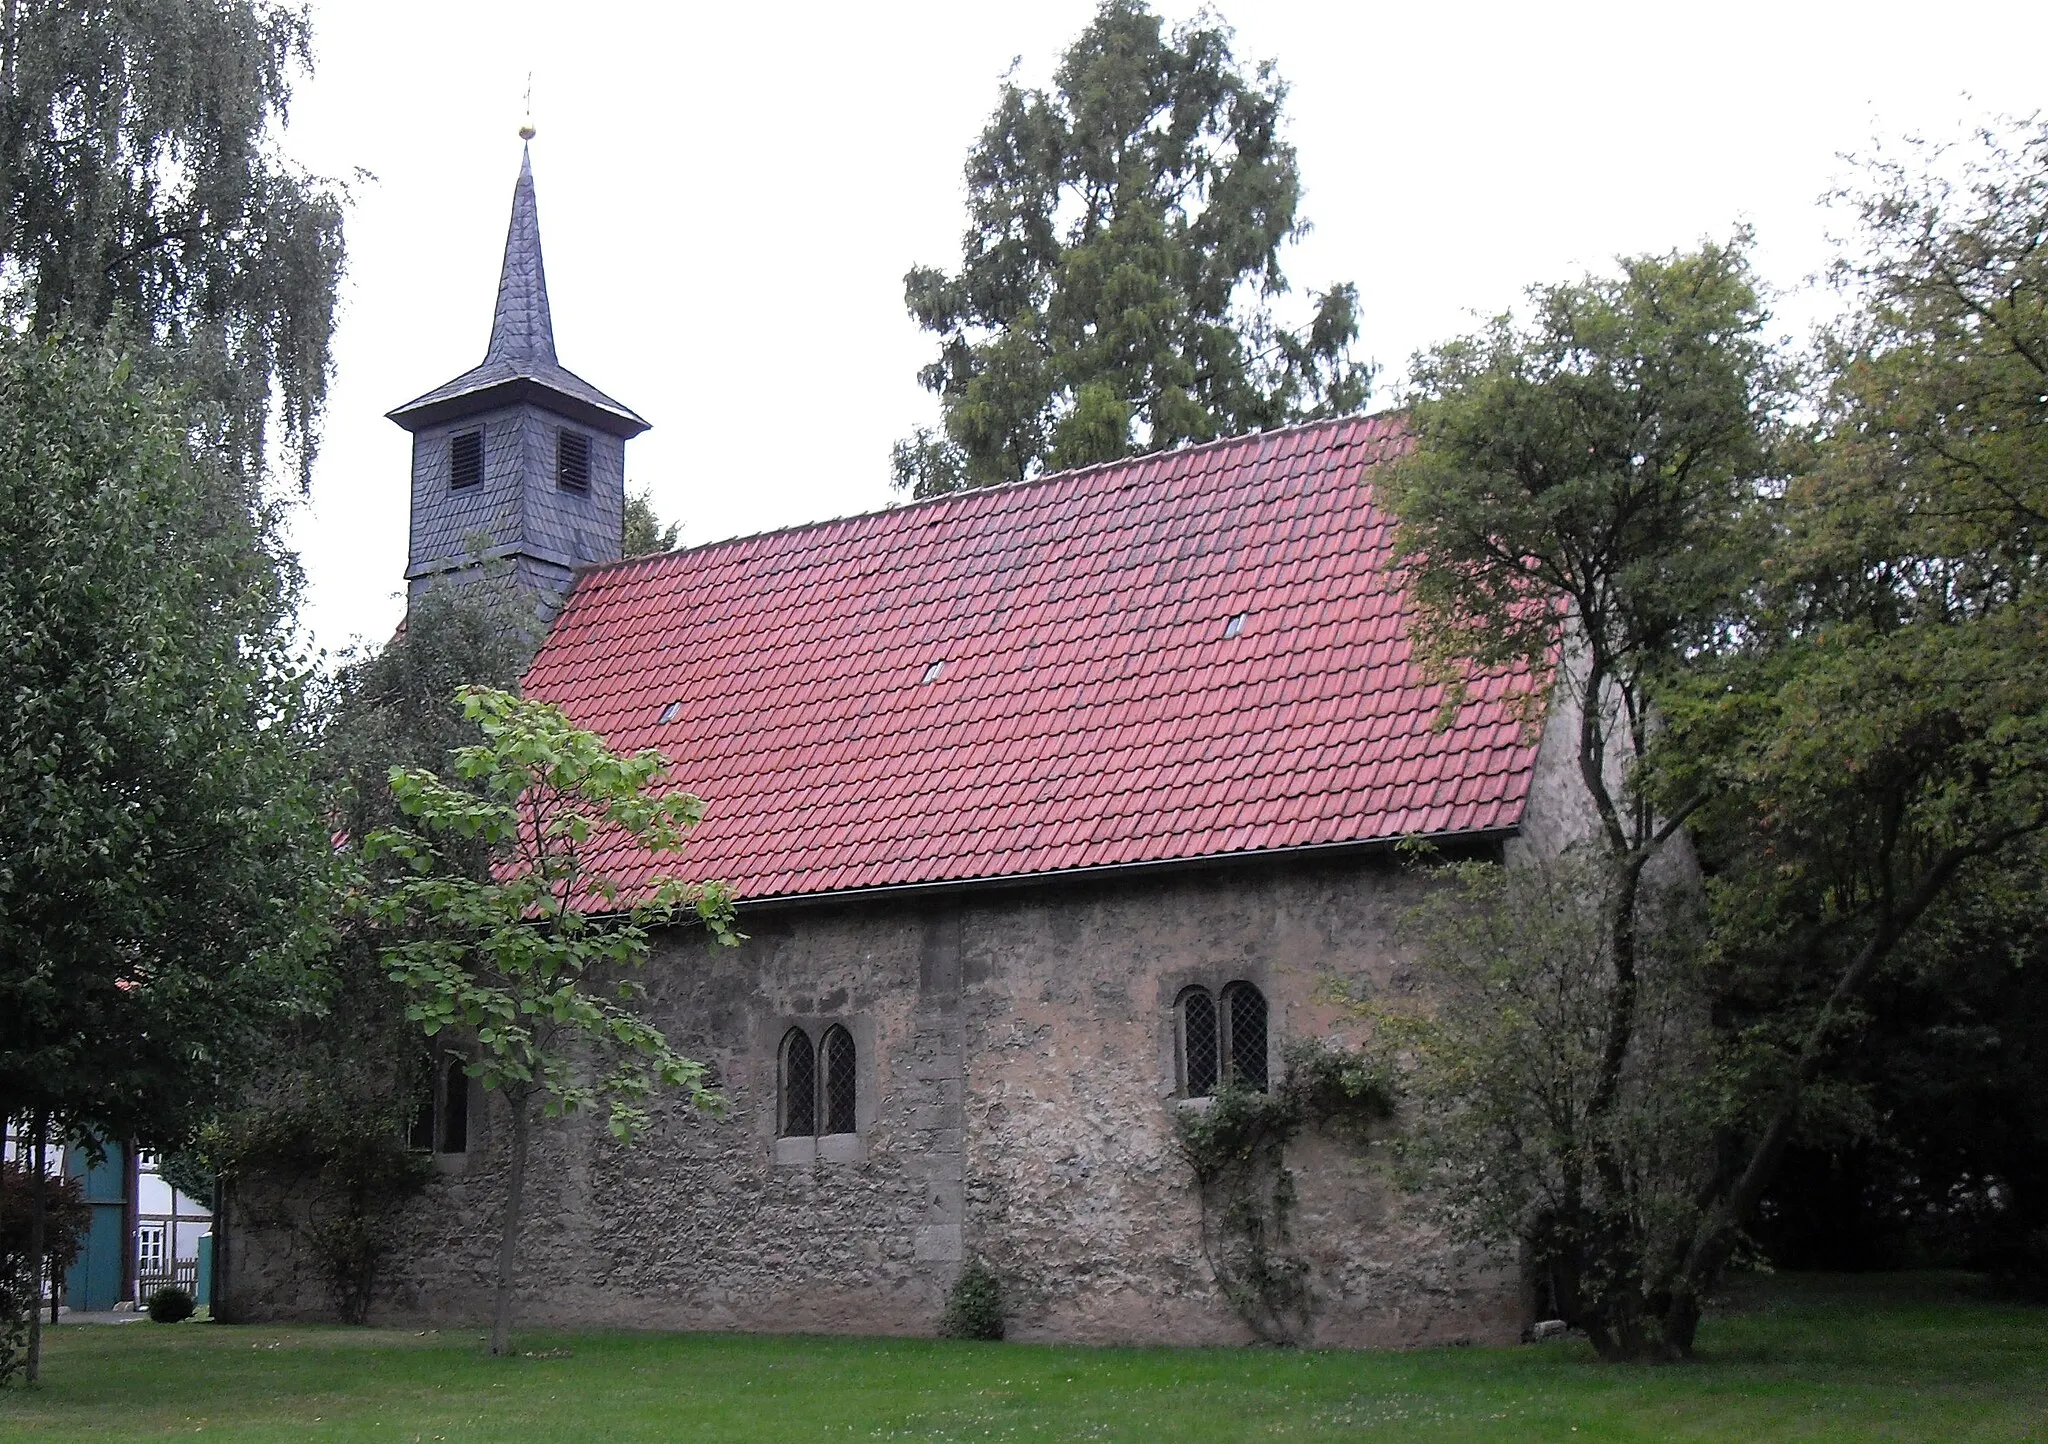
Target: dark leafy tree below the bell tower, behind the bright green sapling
[(318, 1142)]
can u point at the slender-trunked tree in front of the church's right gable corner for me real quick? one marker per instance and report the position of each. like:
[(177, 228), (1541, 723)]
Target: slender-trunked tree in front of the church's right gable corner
[(1580, 511)]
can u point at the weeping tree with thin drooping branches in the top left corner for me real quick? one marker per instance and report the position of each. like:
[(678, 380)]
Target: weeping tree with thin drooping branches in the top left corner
[(142, 192)]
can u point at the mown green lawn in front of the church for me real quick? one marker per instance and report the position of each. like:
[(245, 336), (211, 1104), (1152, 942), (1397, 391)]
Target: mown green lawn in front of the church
[(1799, 1359)]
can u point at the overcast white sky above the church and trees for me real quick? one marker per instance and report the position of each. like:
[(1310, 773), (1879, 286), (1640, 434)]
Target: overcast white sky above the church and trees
[(730, 198)]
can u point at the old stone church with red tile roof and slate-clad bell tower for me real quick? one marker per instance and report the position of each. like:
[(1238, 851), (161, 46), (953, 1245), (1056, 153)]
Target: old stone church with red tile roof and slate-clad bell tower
[(1052, 810)]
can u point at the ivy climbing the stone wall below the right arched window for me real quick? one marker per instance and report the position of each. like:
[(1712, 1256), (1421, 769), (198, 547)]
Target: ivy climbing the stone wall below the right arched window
[(1238, 1152)]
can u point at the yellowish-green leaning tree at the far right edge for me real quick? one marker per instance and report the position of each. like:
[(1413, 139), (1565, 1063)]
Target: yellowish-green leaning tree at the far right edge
[(1873, 740)]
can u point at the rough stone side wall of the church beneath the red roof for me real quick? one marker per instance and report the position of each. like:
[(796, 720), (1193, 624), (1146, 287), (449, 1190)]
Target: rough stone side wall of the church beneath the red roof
[(1017, 1076)]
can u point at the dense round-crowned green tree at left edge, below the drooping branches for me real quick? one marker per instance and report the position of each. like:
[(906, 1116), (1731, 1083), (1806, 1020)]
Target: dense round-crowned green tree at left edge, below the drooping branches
[(163, 839)]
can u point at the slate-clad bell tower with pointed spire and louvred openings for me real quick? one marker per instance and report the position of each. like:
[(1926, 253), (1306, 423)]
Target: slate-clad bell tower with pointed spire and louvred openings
[(519, 460)]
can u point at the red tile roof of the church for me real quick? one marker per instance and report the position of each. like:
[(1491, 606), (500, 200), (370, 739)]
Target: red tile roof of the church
[(1043, 677)]
